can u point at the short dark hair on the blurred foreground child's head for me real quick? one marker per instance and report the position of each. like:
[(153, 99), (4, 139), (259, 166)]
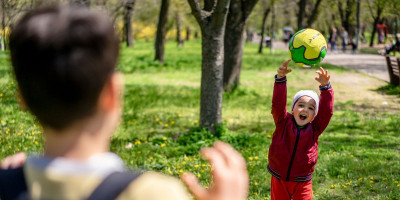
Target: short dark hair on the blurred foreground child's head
[(62, 57)]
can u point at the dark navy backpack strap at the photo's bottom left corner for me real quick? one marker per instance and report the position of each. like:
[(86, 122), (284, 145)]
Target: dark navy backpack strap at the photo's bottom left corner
[(12, 183)]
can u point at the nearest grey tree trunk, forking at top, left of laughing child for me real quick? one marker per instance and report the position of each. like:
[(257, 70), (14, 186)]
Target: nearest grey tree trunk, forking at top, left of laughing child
[(212, 21)]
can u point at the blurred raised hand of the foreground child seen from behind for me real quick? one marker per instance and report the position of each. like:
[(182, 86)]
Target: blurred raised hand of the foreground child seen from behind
[(230, 177)]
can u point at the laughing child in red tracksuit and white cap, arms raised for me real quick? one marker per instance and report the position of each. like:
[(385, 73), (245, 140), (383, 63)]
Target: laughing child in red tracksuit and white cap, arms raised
[(293, 152)]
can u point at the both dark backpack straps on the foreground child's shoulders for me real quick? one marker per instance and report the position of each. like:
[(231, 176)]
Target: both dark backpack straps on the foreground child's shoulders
[(13, 185)]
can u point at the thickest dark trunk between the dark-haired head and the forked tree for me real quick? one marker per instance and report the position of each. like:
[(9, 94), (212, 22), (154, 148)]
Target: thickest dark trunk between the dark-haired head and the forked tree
[(161, 30)]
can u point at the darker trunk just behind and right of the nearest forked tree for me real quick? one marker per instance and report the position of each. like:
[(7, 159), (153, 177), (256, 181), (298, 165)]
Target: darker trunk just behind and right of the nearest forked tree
[(234, 40)]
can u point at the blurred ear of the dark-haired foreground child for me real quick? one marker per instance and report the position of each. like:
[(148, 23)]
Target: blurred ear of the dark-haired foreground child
[(111, 96)]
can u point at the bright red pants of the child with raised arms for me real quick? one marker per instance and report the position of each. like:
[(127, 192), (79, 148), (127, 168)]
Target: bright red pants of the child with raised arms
[(287, 190)]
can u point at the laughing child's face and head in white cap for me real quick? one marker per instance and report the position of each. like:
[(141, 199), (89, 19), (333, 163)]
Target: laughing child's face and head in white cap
[(305, 106)]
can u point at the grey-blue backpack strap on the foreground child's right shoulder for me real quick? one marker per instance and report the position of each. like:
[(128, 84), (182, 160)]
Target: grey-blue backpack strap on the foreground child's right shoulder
[(113, 185)]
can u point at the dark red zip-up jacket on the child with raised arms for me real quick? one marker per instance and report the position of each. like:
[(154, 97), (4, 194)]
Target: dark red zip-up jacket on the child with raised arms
[(293, 152)]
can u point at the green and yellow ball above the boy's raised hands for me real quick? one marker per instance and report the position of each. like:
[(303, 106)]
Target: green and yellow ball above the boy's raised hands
[(307, 47)]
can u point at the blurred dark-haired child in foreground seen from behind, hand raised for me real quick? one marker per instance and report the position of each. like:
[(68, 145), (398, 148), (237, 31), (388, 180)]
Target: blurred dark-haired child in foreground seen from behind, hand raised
[(64, 62)]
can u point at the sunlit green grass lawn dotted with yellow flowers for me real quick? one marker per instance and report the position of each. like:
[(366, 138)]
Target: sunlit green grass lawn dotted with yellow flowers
[(359, 153)]
